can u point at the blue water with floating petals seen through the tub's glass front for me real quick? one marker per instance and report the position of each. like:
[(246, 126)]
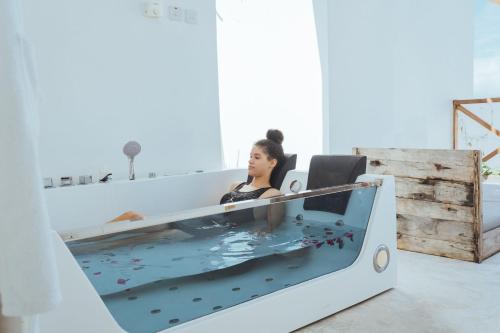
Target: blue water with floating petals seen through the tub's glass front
[(156, 279)]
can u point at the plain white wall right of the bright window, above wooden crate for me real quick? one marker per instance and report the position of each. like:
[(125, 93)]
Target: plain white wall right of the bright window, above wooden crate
[(395, 66)]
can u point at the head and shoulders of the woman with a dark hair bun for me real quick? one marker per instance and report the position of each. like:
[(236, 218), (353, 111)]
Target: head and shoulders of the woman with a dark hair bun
[(265, 158)]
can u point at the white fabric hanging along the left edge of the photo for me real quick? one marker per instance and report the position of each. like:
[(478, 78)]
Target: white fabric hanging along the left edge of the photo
[(28, 276)]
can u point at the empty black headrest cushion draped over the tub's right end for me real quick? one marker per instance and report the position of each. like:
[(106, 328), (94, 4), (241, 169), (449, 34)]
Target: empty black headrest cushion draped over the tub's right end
[(333, 170)]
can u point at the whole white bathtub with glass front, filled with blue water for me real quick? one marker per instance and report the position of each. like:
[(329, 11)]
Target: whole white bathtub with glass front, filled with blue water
[(304, 279)]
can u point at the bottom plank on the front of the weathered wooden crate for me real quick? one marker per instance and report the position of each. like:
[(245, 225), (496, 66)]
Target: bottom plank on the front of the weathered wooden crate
[(436, 247)]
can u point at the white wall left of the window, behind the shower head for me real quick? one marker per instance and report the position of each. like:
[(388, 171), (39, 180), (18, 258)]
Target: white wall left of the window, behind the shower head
[(108, 74)]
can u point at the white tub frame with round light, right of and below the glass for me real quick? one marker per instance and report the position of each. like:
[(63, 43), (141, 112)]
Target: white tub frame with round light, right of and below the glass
[(302, 304)]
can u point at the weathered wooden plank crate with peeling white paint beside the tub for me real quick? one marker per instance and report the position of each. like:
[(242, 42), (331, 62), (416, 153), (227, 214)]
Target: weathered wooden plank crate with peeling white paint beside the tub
[(438, 200)]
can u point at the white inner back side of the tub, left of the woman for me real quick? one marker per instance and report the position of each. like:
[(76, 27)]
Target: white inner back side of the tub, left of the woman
[(82, 206)]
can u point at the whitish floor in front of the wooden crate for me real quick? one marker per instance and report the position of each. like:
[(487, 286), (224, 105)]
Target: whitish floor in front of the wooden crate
[(433, 294)]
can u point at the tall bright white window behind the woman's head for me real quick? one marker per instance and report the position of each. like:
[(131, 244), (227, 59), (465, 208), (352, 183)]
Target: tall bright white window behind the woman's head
[(269, 77)]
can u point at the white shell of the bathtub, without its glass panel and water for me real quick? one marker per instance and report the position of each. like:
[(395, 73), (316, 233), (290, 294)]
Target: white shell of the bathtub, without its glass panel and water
[(299, 305)]
